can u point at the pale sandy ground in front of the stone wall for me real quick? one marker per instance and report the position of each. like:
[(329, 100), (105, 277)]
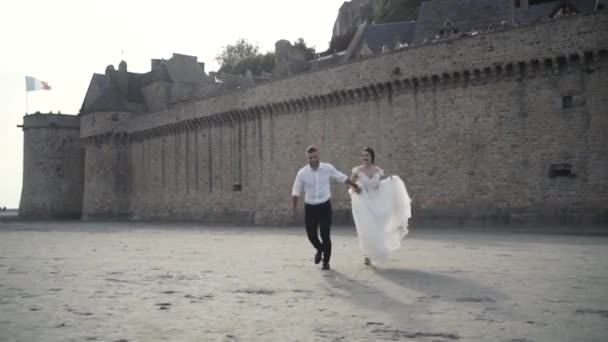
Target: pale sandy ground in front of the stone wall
[(172, 282)]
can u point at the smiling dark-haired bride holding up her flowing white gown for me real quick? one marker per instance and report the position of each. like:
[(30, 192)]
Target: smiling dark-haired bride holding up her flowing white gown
[(381, 210)]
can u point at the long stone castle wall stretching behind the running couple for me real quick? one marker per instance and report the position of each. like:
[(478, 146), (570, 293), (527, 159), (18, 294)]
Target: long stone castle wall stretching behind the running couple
[(474, 126)]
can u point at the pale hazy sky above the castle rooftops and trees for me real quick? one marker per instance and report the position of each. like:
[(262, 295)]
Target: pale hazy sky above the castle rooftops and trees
[(64, 42)]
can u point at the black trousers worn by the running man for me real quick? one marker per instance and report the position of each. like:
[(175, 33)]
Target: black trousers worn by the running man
[(315, 217)]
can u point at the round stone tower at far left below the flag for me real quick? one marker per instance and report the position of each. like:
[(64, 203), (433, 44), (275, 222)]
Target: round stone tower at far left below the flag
[(52, 167)]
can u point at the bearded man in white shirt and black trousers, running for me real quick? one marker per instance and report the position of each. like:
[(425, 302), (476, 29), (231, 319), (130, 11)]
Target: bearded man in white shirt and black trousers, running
[(313, 179)]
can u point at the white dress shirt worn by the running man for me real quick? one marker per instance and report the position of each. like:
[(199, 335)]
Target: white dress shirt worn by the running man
[(315, 183)]
